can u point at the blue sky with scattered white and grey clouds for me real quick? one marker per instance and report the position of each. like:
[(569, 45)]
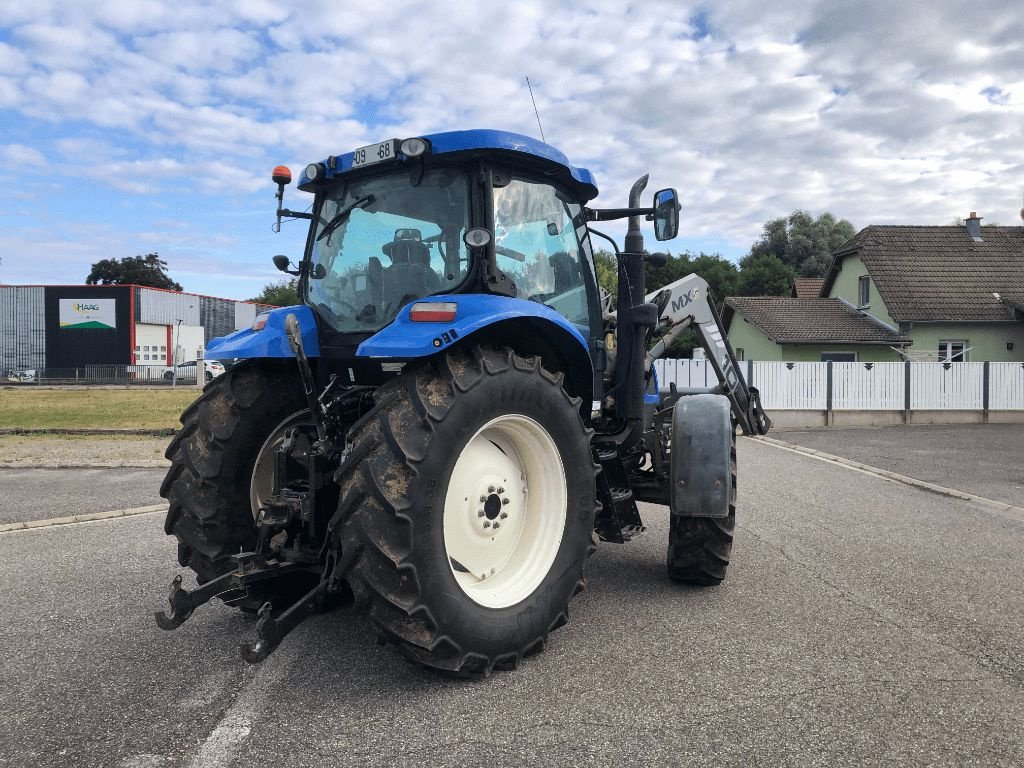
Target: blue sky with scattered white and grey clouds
[(134, 126)]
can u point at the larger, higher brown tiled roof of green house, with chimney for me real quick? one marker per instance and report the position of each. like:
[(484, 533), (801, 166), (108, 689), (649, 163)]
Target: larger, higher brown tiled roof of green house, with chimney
[(941, 273)]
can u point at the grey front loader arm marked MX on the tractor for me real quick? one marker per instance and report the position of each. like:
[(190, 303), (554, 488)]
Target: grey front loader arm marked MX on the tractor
[(688, 304)]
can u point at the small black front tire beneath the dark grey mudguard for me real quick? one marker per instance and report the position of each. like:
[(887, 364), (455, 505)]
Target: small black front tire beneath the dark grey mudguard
[(700, 547)]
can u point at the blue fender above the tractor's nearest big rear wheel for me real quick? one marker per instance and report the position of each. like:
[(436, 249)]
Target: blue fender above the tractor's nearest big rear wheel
[(406, 339)]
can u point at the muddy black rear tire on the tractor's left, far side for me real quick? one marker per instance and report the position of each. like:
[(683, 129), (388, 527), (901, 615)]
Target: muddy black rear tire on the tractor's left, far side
[(212, 459)]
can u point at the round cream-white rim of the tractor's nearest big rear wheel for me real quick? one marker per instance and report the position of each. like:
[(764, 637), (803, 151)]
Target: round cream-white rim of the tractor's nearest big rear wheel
[(505, 511)]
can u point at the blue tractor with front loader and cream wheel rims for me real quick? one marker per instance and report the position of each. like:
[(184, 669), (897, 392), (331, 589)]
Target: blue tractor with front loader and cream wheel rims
[(444, 431)]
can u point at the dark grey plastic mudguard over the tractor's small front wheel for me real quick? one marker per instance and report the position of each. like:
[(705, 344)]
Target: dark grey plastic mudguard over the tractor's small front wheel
[(702, 465)]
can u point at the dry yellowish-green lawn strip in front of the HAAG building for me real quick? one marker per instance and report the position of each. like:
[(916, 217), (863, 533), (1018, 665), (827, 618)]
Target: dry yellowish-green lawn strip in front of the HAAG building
[(90, 409)]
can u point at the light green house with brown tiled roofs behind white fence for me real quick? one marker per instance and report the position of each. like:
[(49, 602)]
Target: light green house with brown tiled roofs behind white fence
[(892, 293)]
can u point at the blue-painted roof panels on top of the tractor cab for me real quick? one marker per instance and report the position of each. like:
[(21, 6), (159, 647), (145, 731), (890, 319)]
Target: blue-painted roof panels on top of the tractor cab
[(488, 143)]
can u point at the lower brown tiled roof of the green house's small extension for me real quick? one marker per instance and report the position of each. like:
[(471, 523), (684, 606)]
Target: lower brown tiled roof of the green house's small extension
[(791, 321)]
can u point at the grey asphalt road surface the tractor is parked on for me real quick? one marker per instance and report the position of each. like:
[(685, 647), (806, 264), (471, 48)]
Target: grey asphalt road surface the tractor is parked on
[(864, 623)]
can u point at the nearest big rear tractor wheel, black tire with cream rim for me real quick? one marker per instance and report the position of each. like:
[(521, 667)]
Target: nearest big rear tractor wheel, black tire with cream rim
[(446, 443)]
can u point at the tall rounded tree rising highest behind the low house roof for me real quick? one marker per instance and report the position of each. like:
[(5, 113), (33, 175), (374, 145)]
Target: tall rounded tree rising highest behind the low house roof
[(802, 242)]
